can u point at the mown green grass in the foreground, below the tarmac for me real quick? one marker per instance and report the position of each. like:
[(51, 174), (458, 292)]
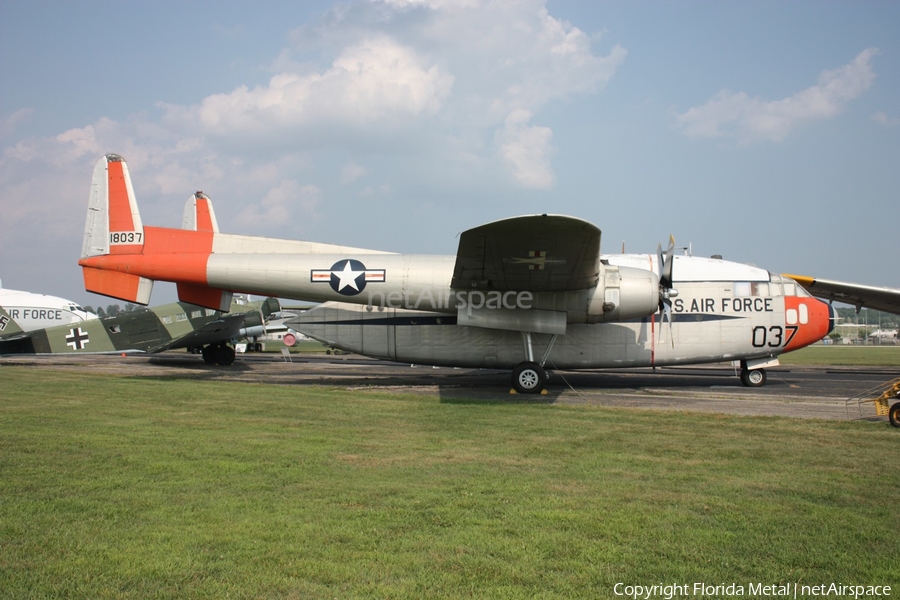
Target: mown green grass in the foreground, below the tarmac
[(115, 487)]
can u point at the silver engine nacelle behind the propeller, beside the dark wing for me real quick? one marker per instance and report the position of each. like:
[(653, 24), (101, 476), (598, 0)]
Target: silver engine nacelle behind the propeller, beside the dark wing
[(624, 293)]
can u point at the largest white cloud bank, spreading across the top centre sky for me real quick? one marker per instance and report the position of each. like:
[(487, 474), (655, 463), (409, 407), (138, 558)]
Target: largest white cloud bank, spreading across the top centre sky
[(406, 70)]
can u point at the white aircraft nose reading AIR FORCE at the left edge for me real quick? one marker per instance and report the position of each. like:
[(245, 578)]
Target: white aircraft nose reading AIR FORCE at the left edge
[(29, 311)]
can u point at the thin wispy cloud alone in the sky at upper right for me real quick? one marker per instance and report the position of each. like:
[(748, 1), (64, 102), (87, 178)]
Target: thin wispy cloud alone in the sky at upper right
[(738, 115)]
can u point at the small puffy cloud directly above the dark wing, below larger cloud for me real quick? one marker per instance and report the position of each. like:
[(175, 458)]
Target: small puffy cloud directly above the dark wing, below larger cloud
[(527, 148)]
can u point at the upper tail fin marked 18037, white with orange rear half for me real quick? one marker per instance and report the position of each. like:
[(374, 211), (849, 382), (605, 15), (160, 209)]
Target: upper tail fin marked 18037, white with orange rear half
[(113, 224)]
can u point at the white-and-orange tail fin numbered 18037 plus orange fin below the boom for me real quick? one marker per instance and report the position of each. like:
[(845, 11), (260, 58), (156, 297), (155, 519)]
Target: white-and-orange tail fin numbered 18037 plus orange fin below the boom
[(113, 227)]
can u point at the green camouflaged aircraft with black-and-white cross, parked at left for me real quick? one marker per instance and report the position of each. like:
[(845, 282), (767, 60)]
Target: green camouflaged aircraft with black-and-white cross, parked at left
[(151, 330)]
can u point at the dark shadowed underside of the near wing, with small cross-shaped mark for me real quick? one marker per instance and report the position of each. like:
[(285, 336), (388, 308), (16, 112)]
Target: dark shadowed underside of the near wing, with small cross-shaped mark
[(540, 253)]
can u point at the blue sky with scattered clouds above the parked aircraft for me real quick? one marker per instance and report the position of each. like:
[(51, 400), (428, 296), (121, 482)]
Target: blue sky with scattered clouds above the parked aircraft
[(767, 132)]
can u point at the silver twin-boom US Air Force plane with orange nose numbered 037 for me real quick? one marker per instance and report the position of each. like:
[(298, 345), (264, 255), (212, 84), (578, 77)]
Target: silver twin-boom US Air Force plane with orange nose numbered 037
[(523, 293)]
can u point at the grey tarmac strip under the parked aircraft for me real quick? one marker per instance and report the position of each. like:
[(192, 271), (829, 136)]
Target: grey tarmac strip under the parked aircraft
[(798, 392)]
